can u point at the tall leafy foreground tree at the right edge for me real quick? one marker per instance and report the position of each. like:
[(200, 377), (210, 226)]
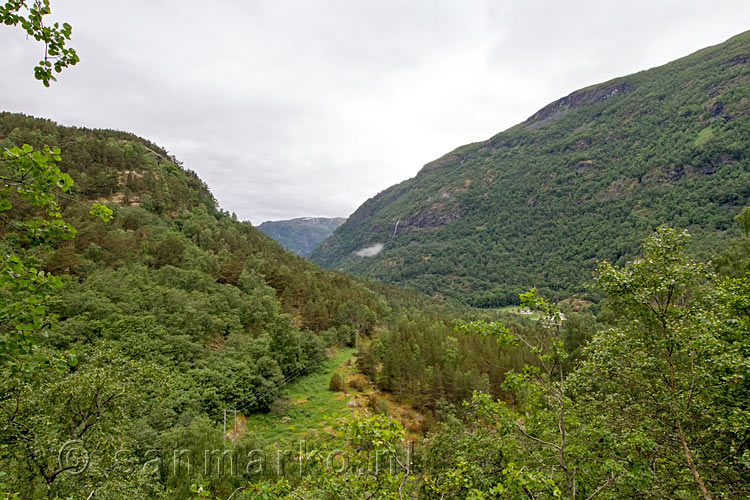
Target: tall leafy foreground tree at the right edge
[(664, 377)]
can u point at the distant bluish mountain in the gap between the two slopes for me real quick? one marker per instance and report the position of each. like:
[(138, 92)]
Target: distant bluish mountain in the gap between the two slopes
[(301, 235)]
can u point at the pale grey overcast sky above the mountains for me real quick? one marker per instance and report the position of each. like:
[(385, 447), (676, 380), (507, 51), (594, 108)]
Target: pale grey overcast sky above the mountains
[(308, 108)]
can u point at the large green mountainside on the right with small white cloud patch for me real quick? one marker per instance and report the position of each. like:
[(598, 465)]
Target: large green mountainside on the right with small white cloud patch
[(583, 179)]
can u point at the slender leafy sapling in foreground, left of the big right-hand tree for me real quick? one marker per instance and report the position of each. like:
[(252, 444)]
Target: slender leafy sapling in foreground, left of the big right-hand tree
[(545, 452)]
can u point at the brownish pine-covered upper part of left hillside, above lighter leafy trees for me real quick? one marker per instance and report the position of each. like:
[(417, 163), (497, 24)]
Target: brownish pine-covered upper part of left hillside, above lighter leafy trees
[(166, 218)]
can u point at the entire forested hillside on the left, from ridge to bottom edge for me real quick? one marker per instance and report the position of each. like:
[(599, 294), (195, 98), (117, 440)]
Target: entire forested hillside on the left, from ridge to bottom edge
[(166, 315)]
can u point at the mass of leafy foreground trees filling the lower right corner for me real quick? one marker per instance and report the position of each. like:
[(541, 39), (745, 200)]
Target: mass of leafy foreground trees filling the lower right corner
[(657, 406)]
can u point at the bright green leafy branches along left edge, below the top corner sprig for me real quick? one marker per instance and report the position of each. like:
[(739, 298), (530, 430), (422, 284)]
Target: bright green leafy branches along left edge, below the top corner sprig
[(29, 177)]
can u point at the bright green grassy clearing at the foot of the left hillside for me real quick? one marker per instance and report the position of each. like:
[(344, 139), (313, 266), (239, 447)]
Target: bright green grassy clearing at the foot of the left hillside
[(305, 404)]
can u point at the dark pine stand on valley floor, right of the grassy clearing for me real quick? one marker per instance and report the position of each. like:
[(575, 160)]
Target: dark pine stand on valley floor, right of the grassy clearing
[(426, 361)]
